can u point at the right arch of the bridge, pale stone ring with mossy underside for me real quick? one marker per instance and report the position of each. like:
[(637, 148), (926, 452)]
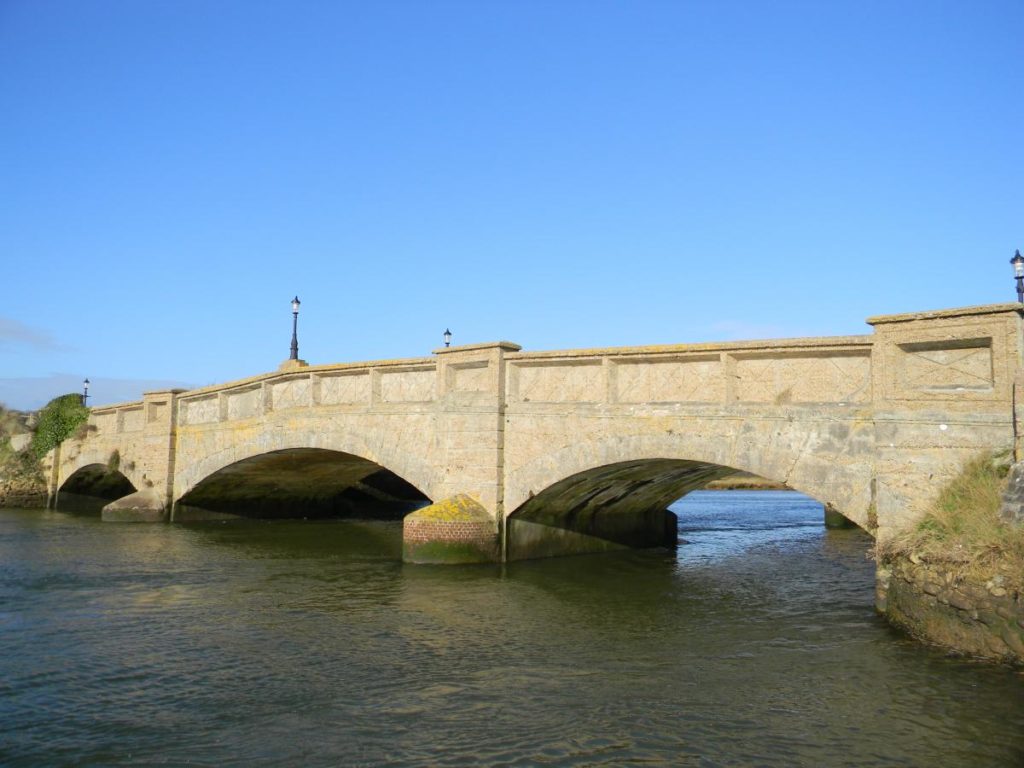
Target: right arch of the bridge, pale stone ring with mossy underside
[(634, 479)]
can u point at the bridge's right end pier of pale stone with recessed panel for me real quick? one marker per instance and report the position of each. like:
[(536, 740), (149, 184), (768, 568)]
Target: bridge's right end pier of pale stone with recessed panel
[(944, 387)]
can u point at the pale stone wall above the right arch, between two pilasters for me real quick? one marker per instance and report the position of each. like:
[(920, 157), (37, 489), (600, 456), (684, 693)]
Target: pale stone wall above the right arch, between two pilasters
[(791, 411)]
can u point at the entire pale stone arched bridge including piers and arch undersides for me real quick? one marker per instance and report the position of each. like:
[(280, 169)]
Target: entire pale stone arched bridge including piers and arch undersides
[(532, 454)]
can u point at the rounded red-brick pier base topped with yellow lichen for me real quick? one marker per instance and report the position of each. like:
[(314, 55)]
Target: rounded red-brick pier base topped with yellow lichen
[(457, 530)]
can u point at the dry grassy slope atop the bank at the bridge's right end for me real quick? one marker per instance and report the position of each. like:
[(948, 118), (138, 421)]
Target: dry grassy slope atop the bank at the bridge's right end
[(964, 533)]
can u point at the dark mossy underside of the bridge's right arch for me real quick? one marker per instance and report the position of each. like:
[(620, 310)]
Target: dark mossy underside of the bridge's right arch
[(615, 506)]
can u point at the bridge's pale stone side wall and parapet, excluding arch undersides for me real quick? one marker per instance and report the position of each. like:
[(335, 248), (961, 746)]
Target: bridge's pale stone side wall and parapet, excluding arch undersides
[(871, 425)]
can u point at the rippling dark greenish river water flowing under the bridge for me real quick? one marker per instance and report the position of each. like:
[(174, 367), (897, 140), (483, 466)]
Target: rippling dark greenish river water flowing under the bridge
[(312, 645)]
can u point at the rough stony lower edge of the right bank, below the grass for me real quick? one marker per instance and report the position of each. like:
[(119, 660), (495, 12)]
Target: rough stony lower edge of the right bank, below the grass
[(944, 609)]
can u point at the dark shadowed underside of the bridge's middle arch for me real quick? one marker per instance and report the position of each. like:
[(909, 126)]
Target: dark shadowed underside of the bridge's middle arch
[(302, 483)]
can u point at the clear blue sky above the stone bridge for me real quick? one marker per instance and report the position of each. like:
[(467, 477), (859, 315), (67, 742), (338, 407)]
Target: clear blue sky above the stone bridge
[(559, 175)]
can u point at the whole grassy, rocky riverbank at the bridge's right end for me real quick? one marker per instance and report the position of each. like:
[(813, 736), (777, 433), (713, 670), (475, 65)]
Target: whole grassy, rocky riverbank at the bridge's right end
[(957, 580)]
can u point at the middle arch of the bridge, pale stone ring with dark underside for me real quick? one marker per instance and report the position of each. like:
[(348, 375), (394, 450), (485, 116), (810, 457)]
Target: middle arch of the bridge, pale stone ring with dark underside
[(317, 474)]
